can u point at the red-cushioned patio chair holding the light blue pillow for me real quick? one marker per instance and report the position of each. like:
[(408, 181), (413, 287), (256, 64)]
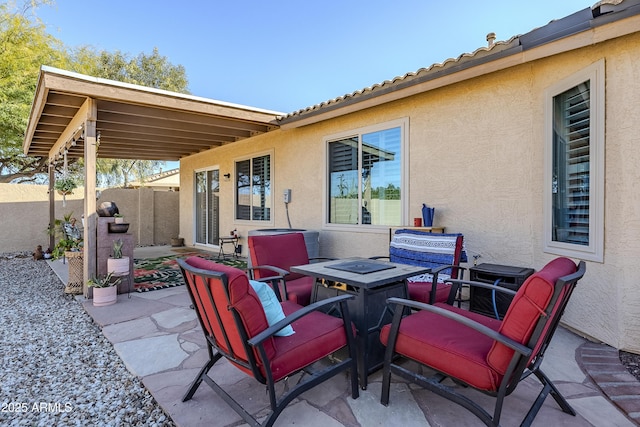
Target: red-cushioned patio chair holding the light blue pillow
[(235, 327)]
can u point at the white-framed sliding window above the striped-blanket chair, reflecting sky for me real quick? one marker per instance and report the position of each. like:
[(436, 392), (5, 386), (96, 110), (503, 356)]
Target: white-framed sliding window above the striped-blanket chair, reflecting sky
[(366, 176)]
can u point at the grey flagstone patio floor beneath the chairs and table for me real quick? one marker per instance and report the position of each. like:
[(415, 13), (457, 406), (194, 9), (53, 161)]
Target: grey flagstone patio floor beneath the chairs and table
[(157, 336)]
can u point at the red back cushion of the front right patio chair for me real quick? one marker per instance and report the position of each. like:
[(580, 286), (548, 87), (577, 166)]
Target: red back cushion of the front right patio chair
[(528, 304)]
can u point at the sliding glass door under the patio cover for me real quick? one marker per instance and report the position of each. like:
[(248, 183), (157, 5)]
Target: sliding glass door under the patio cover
[(207, 207)]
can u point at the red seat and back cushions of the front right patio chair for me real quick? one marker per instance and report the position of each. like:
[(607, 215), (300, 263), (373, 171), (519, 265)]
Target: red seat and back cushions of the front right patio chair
[(461, 352)]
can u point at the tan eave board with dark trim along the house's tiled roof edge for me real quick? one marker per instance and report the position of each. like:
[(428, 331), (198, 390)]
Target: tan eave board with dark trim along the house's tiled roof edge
[(598, 30)]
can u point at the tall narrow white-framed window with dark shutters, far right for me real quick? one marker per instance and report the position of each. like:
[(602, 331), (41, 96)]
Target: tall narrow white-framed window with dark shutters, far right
[(574, 165)]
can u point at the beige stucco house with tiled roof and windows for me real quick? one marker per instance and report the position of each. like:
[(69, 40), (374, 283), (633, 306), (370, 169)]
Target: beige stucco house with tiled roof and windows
[(529, 147)]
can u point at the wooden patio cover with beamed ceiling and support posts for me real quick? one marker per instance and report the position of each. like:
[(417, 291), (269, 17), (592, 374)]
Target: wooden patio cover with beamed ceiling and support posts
[(91, 117)]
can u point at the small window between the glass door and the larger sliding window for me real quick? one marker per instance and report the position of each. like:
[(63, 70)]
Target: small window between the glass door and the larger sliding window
[(254, 198)]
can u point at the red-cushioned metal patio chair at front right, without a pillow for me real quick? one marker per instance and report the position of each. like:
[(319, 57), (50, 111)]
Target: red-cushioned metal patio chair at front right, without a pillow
[(490, 355)]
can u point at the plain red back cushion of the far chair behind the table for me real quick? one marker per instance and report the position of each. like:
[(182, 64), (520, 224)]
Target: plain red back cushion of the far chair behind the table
[(279, 250)]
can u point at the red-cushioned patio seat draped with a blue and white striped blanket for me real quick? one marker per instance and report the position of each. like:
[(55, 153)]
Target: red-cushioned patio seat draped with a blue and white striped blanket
[(441, 252)]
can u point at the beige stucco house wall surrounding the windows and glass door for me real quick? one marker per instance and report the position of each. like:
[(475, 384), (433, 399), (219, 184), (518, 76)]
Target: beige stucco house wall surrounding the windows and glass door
[(476, 154)]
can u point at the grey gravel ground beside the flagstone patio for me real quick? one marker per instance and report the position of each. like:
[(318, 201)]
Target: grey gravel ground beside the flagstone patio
[(57, 367)]
